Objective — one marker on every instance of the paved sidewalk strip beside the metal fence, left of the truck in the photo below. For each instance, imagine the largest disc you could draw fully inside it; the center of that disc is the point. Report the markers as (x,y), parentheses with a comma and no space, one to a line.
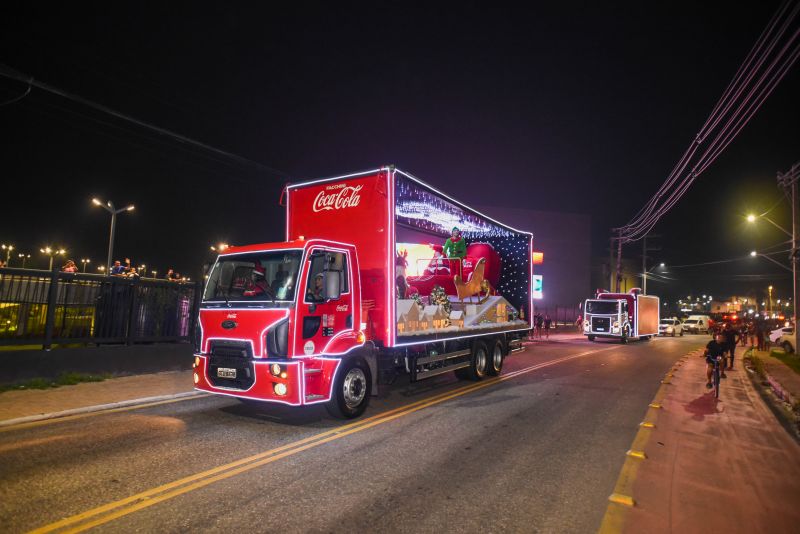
(33,403)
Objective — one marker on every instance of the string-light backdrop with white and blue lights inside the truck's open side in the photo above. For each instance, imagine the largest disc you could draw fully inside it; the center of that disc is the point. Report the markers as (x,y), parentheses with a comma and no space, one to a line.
(421,209)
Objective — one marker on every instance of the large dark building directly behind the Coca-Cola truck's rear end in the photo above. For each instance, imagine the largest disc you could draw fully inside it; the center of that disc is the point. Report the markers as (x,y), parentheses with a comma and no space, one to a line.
(565,240)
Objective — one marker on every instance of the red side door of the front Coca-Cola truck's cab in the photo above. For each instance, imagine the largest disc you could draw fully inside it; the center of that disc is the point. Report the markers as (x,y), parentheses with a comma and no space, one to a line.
(321,318)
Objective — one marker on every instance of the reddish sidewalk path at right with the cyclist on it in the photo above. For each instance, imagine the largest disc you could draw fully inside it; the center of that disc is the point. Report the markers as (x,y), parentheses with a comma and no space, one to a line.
(712,465)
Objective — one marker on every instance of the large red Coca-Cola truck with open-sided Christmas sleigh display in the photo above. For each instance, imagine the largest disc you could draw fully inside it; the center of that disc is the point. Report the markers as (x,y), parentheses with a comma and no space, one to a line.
(359,293)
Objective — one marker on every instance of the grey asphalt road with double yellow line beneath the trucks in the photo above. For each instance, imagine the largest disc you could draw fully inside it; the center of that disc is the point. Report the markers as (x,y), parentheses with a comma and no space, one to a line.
(537,451)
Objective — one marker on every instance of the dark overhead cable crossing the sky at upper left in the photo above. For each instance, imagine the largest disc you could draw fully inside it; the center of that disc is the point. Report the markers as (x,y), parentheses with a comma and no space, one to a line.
(13,74)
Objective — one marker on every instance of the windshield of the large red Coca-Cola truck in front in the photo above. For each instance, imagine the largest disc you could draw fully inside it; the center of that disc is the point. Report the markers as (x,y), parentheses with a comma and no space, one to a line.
(256,276)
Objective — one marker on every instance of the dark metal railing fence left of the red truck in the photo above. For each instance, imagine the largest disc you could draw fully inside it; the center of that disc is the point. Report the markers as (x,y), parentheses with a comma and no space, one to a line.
(44,308)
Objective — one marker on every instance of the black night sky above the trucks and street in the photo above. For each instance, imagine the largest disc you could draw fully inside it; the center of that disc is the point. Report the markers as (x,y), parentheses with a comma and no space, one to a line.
(577,109)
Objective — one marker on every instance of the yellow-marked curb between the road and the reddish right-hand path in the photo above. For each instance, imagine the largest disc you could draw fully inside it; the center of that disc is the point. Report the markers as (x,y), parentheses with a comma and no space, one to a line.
(622,498)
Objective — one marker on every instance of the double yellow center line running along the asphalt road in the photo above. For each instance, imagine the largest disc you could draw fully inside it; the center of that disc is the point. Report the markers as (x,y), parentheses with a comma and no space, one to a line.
(161,493)
